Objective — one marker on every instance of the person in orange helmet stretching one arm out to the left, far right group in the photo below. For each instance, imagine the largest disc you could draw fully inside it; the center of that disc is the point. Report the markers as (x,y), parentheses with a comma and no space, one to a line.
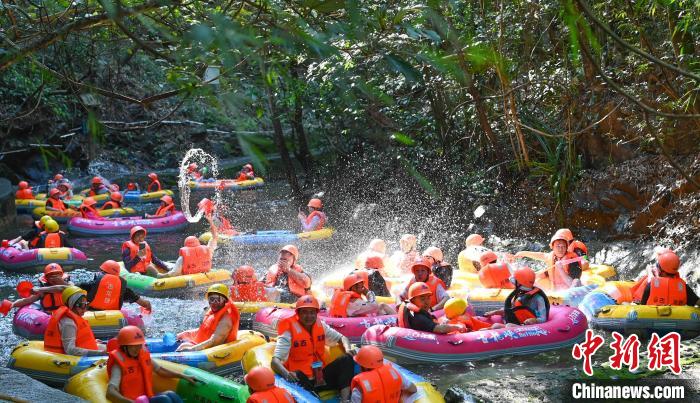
(564,268)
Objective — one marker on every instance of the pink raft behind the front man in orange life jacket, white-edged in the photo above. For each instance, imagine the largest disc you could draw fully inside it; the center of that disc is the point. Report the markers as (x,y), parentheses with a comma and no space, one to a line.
(266,321)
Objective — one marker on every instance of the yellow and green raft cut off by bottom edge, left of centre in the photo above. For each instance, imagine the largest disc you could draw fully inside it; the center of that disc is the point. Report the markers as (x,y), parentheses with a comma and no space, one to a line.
(91,385)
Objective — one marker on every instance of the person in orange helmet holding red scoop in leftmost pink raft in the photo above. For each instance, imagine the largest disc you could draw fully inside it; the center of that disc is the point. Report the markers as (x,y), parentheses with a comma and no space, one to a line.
(49,290)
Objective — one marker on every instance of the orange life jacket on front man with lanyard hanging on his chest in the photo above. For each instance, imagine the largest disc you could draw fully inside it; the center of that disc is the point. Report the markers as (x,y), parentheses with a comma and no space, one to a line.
(306,348)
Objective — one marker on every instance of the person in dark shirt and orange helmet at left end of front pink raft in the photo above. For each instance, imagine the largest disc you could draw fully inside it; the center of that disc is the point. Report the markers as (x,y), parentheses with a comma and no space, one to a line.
(415,312)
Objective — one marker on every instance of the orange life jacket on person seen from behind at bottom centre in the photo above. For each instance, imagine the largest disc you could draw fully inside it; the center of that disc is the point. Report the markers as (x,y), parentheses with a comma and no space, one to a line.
(380,385)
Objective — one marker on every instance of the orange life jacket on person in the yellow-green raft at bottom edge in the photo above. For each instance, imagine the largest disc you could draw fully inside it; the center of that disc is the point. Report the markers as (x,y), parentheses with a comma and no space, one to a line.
(137,373)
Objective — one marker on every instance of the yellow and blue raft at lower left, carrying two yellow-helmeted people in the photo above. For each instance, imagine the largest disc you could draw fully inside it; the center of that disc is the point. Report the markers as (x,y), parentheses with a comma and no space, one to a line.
(55,369)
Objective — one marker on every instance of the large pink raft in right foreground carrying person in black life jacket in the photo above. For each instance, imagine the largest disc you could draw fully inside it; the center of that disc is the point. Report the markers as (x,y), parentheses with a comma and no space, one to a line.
(566,326)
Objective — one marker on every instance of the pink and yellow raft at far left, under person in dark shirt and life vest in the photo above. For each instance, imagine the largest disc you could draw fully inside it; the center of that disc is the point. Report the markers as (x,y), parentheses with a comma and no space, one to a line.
(30,322)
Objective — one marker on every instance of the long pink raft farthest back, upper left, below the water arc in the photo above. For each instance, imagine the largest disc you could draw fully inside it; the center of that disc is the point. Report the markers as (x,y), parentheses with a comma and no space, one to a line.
(87,227)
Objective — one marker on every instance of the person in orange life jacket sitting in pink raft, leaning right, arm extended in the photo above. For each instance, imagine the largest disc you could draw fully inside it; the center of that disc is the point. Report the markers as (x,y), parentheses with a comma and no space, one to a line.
(356,300)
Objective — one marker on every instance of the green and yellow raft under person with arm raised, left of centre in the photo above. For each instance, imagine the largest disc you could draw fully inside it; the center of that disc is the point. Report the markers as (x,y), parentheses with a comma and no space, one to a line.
(173,286)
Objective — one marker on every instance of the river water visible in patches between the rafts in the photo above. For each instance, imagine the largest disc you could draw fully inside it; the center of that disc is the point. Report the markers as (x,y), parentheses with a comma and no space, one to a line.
(268,208)
